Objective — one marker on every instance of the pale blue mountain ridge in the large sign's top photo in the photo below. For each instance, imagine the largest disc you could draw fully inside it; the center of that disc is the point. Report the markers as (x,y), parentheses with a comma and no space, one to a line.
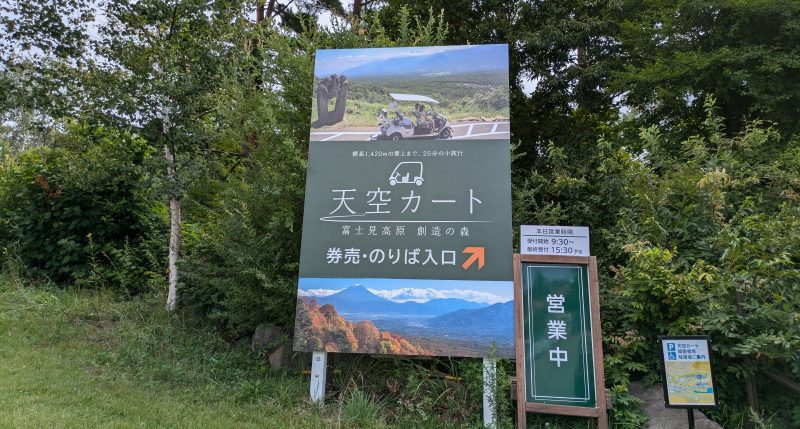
(492,58)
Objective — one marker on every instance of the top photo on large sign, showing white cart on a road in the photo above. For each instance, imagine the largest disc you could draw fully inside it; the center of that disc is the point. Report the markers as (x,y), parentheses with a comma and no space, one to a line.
(438,92)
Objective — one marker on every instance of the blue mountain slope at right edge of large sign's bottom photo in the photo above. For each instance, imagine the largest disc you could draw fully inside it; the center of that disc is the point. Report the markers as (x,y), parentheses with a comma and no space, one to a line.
(497,319)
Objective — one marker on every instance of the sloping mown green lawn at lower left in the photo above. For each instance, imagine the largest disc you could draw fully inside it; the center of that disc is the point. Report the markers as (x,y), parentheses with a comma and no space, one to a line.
(78,359)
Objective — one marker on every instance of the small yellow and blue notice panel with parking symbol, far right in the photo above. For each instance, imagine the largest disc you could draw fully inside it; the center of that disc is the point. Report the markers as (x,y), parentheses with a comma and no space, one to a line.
(686,370)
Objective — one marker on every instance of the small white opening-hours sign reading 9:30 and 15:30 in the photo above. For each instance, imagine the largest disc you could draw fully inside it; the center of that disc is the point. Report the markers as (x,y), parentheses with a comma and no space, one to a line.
(554,240)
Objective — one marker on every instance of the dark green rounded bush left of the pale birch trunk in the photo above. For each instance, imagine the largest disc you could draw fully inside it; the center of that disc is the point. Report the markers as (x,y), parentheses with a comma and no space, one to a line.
(78,212)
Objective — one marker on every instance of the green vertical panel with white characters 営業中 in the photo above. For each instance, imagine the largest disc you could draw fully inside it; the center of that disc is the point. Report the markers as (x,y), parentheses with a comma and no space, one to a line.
(557,329)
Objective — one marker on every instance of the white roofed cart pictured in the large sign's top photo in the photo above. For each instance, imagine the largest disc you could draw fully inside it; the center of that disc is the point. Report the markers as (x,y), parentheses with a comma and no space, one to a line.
(429,123)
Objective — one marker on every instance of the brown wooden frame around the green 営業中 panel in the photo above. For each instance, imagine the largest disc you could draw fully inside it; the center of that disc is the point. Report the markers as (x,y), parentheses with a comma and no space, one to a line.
(523,406)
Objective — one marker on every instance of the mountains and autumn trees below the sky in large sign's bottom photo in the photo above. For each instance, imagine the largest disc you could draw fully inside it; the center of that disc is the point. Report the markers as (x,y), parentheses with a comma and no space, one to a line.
(439,326)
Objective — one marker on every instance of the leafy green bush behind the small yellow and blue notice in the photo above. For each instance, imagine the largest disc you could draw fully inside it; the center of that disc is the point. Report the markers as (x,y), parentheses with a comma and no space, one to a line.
(711,239)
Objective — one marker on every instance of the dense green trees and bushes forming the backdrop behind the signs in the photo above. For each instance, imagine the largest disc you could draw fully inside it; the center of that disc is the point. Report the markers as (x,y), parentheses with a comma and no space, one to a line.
(668,128)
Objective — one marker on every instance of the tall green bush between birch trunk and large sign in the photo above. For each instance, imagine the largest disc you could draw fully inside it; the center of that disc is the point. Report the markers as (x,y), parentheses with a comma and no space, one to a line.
(240,266)
